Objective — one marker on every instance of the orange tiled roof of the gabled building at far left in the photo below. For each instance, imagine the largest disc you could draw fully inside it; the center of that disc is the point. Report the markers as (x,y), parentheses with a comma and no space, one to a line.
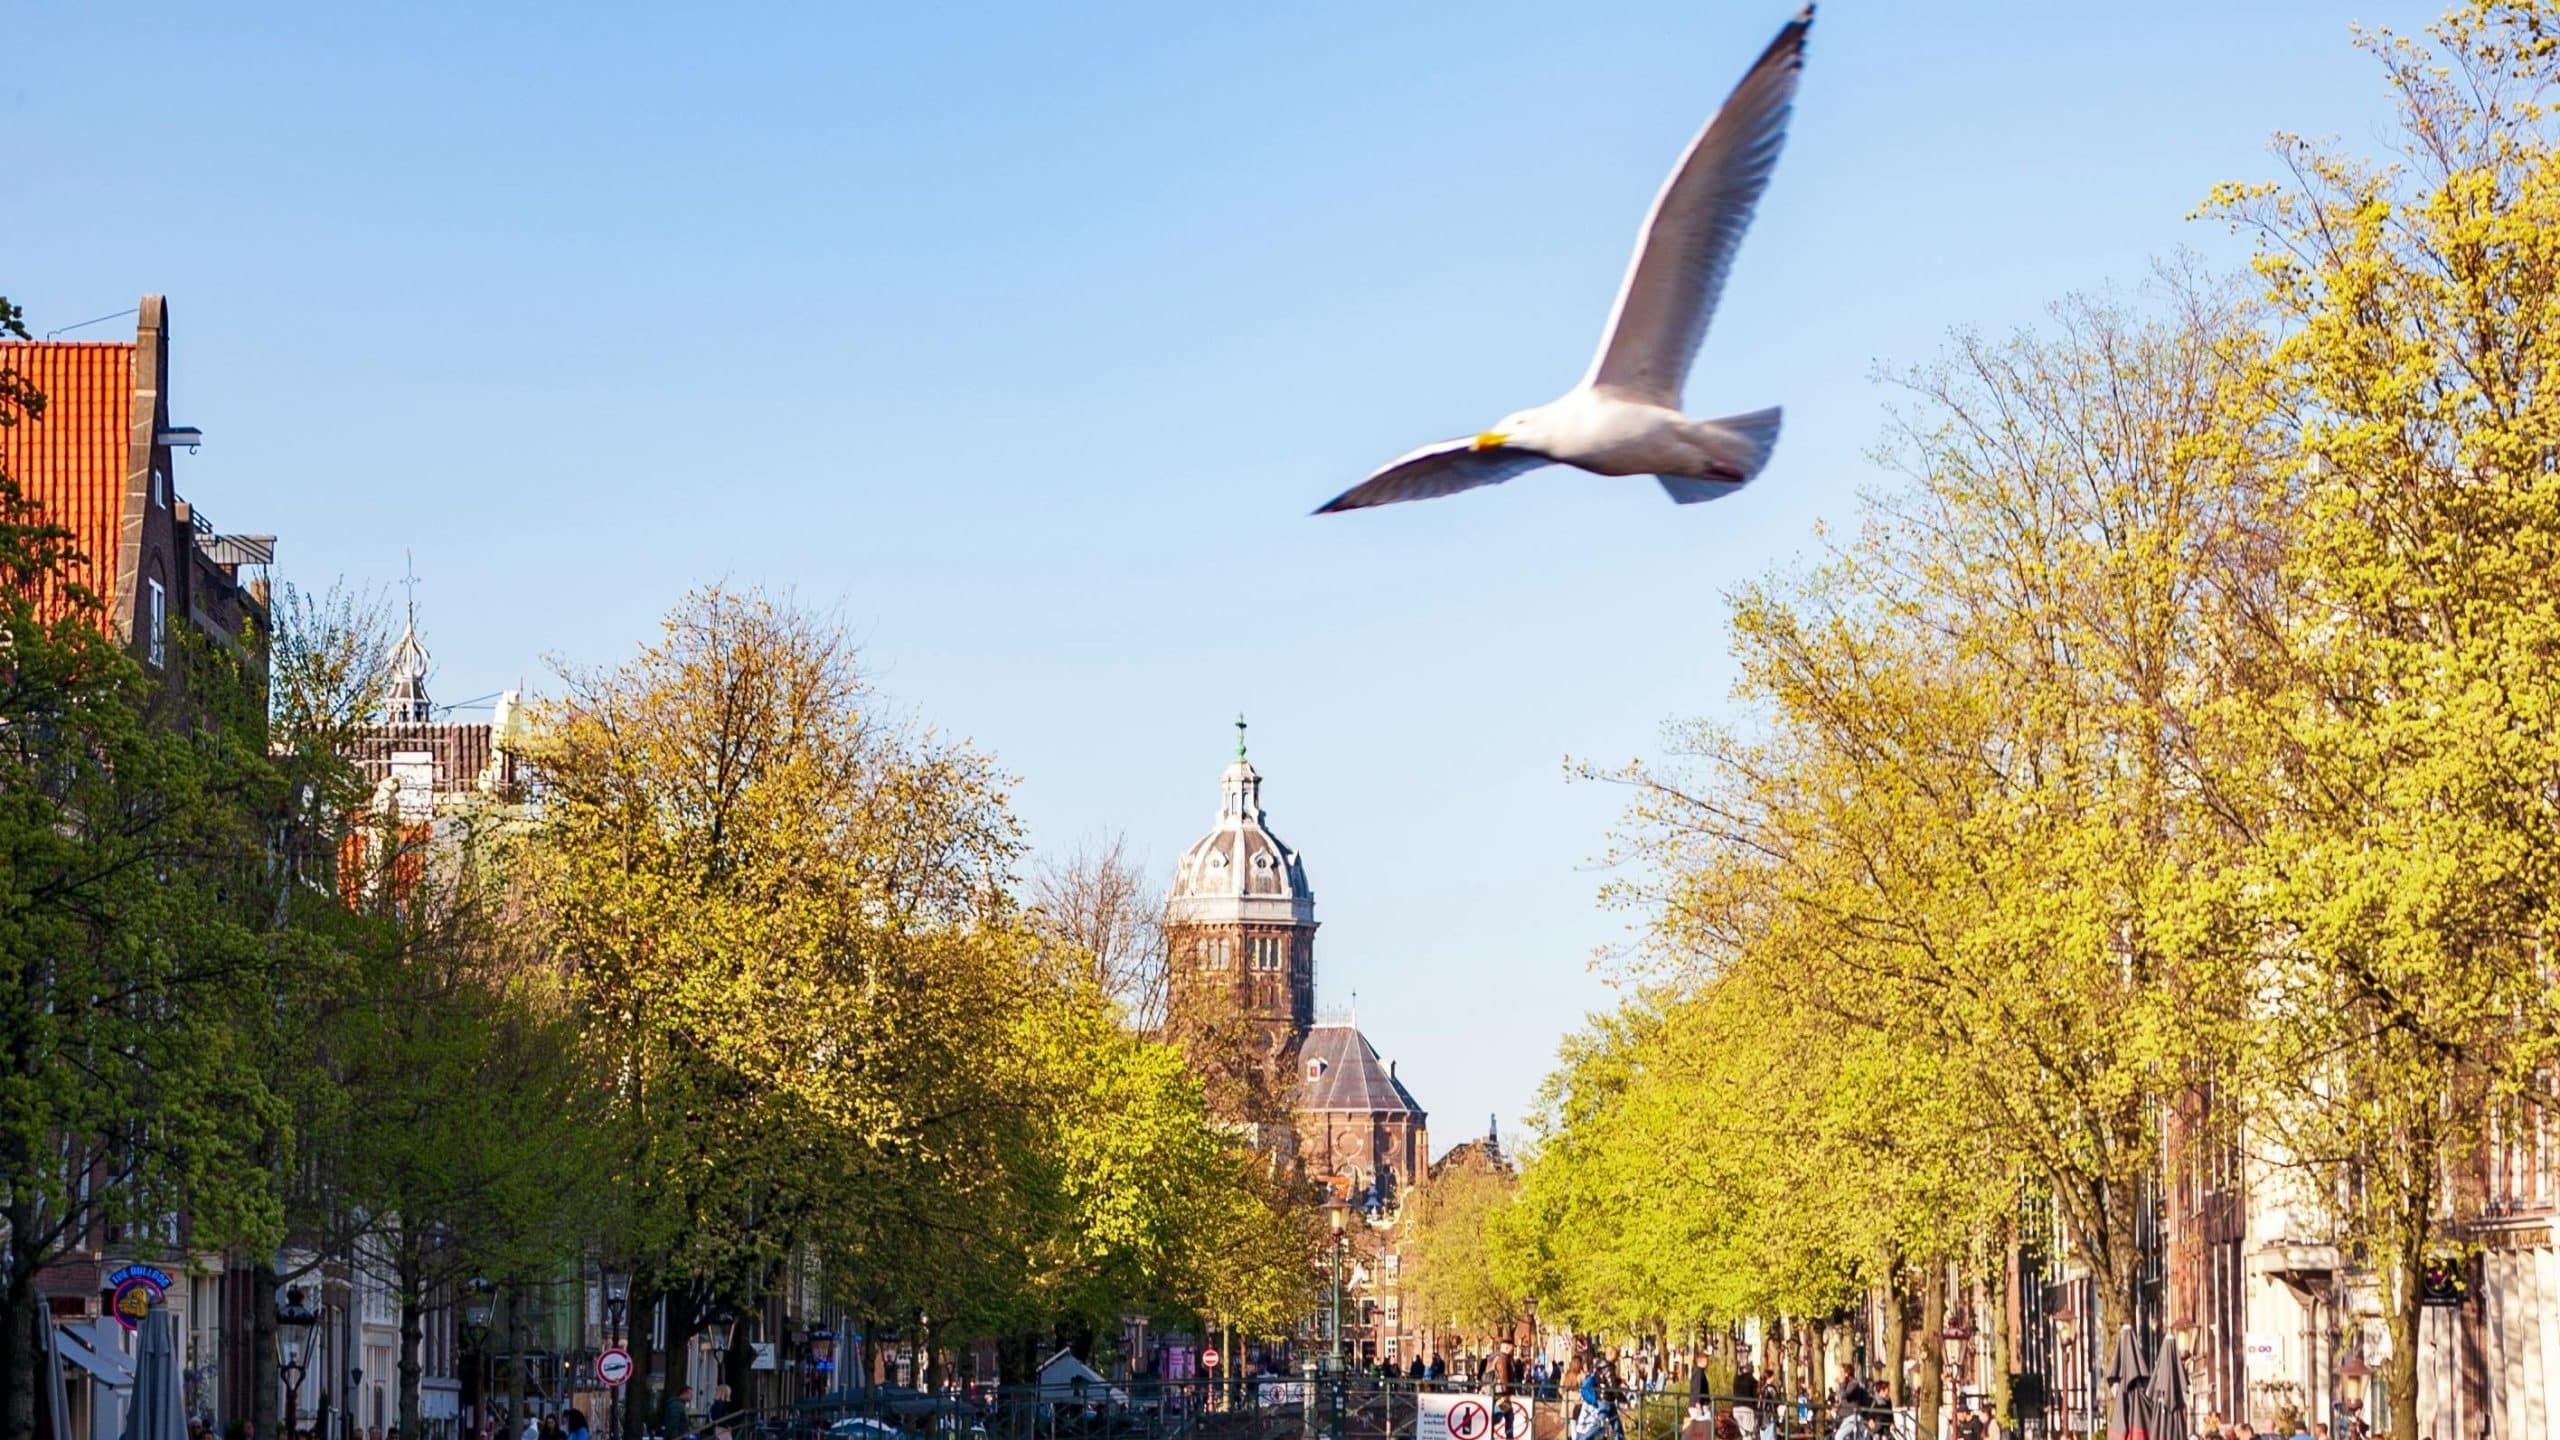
(78,455)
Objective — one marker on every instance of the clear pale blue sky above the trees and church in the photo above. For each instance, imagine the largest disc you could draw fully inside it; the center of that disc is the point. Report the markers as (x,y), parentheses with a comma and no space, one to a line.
(1025,340)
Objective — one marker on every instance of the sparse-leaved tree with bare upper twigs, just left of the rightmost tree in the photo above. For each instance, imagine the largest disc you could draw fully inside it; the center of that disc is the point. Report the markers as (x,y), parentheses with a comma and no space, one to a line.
(1967,829)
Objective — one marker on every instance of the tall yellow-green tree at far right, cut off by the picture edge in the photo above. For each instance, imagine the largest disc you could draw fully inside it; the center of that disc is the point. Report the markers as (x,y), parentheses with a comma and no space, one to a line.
(2408,860)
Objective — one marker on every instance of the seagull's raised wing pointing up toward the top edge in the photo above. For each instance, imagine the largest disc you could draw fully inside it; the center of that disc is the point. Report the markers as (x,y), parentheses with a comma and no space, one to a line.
(1696,227)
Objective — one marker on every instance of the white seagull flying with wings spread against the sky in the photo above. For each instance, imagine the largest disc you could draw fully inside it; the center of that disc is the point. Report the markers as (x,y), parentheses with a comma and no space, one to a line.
(1624,419)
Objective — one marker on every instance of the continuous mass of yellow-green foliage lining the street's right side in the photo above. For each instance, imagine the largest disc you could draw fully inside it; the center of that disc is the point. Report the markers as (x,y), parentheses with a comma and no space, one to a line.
(2185,721)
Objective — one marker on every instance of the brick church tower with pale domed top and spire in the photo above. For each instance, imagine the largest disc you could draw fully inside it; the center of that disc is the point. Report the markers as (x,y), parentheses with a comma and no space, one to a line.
(1240,921)
